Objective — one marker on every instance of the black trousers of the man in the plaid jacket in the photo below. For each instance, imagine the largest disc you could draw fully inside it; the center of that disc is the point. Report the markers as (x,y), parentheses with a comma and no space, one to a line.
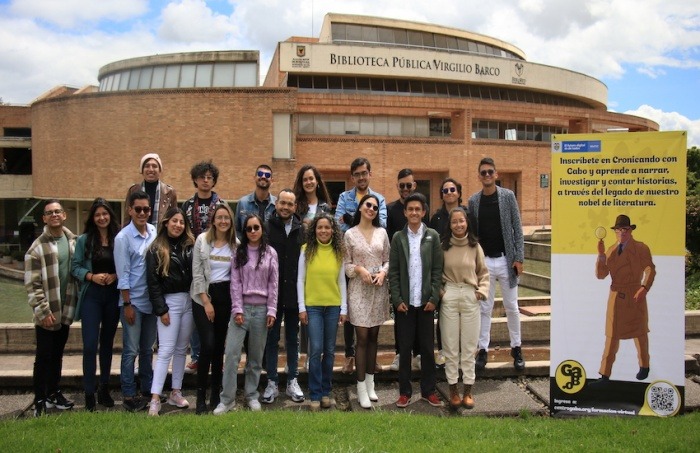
(48,361)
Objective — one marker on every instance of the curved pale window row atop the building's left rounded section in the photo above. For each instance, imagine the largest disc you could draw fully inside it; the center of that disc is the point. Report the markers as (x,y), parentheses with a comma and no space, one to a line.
(189,75)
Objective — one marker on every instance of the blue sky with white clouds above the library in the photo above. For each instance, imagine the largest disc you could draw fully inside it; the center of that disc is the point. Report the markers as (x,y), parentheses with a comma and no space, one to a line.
(647,52)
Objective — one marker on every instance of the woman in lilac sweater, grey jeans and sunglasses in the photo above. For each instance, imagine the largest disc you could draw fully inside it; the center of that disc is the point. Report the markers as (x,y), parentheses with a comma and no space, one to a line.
(254,280)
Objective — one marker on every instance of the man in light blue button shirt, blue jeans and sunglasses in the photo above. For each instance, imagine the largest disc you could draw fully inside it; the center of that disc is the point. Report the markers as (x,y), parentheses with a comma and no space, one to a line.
(138,320)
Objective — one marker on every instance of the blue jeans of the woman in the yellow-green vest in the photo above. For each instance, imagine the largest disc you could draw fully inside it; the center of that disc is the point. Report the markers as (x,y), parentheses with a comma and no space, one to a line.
(323,327)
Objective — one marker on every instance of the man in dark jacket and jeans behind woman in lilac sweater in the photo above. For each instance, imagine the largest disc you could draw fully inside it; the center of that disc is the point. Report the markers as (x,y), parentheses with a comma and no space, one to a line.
(286,235)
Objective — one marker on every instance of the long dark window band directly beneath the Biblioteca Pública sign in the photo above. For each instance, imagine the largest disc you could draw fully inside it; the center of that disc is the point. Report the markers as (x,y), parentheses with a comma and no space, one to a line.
(404,87)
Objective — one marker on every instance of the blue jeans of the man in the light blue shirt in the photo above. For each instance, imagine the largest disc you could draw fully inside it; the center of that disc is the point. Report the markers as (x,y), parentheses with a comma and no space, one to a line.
(138,341)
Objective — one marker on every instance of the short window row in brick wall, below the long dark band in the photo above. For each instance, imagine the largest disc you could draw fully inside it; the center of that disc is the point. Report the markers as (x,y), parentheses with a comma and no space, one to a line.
(393,126)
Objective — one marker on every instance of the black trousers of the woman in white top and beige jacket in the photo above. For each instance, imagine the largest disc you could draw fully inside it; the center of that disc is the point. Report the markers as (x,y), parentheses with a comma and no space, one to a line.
(212,335)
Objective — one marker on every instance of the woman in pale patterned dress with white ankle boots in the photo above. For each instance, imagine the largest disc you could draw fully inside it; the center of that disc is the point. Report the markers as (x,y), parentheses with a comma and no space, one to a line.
(366,265)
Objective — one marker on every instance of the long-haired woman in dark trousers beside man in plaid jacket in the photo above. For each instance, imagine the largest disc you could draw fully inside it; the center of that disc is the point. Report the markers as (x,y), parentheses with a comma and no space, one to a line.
(98,302)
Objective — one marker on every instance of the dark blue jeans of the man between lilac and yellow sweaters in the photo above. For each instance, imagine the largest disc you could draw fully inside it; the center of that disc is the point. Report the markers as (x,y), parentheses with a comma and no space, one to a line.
(291,344)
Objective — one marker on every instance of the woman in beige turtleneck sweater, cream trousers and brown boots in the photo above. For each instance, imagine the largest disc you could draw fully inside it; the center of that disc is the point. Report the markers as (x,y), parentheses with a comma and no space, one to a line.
(466,281)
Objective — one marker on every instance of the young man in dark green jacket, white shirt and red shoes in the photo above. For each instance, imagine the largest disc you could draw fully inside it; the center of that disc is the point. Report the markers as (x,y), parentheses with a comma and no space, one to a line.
(415,278)
